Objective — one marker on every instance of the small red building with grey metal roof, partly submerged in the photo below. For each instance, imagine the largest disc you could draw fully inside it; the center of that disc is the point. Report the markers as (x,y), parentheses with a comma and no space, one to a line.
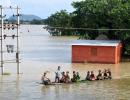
(96,51)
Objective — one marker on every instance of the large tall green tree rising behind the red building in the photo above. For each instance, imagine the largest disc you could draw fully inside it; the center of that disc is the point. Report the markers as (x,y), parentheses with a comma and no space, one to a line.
(110,14)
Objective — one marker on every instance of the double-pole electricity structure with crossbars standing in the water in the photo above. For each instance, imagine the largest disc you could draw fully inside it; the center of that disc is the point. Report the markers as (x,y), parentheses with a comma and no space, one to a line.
(4,35)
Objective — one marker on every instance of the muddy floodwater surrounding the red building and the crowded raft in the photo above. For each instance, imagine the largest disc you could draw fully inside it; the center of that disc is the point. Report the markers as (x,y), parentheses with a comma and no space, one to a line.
(41,52)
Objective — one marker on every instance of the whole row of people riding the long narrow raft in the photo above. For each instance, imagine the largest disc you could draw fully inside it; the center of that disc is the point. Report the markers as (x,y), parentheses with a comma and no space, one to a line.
(65,78)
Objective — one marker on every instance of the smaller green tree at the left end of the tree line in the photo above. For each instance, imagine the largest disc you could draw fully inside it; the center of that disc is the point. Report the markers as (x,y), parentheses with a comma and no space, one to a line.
(59,19)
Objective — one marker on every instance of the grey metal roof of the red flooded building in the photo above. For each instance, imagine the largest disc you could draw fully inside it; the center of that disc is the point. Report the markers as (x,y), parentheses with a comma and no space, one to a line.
(97,42)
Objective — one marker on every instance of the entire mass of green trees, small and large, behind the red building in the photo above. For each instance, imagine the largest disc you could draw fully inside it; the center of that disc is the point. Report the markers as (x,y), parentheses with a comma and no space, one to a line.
(94,14)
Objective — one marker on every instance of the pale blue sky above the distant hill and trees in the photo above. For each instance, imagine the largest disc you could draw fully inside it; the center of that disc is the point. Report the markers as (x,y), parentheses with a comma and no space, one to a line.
(42,8)
